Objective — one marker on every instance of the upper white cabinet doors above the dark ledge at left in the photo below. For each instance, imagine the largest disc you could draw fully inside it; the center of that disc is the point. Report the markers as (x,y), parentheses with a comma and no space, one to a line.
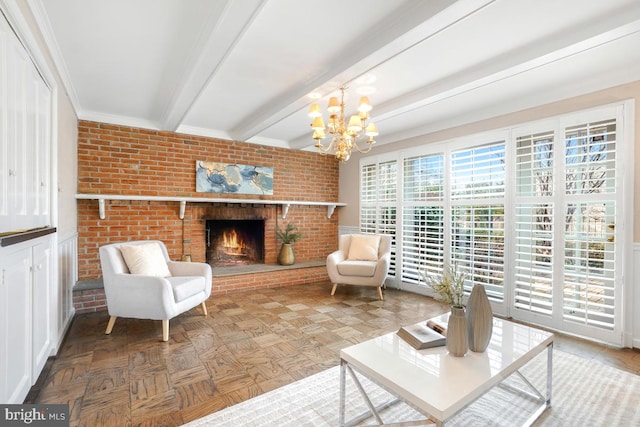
(25,138)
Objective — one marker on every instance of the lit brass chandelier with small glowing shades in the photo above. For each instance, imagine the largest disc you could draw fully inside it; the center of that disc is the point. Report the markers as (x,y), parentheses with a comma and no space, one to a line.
(343,136)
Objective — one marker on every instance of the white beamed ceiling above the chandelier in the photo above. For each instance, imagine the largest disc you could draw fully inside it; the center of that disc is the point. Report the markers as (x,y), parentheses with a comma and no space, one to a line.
(243,69)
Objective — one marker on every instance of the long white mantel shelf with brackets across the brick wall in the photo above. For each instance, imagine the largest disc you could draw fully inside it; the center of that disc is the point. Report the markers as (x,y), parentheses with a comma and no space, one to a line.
(331,206)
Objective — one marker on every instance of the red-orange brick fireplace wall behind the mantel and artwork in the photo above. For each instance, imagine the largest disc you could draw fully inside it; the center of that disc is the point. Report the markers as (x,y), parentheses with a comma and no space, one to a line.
(130,161)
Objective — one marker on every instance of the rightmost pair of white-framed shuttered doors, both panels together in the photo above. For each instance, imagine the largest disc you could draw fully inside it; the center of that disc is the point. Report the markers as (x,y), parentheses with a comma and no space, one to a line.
(567,263)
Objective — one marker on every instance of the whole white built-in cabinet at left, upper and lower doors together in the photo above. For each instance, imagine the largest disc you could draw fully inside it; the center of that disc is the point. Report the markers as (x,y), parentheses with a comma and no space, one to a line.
(28,268)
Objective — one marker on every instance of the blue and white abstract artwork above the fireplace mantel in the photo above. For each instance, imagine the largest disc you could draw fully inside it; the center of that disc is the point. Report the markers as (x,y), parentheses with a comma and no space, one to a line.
(212,177)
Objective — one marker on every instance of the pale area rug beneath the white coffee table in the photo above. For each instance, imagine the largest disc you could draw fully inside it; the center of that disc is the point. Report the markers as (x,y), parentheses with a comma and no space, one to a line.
(585,393)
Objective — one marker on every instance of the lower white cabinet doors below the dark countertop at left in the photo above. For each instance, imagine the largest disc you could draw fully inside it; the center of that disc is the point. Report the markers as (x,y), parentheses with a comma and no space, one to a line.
(25,316)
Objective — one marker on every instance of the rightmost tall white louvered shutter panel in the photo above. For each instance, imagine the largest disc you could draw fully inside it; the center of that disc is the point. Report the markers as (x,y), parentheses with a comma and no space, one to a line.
(589,275)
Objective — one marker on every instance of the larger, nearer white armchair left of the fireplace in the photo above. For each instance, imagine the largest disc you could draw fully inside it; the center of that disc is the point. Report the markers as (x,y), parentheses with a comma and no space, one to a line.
(160,290)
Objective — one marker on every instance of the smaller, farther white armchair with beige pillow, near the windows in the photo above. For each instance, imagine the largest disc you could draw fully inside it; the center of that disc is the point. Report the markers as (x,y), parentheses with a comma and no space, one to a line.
(361,259)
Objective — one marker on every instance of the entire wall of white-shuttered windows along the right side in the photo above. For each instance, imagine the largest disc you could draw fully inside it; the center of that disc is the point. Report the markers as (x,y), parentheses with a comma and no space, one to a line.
(531,215)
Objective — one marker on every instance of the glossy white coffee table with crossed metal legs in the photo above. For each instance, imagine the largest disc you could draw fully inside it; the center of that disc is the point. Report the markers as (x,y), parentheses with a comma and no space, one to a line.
(439,385)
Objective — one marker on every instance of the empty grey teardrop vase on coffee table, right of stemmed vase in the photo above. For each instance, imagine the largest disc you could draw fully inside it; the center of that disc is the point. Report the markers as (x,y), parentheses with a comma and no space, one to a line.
(479,319)
